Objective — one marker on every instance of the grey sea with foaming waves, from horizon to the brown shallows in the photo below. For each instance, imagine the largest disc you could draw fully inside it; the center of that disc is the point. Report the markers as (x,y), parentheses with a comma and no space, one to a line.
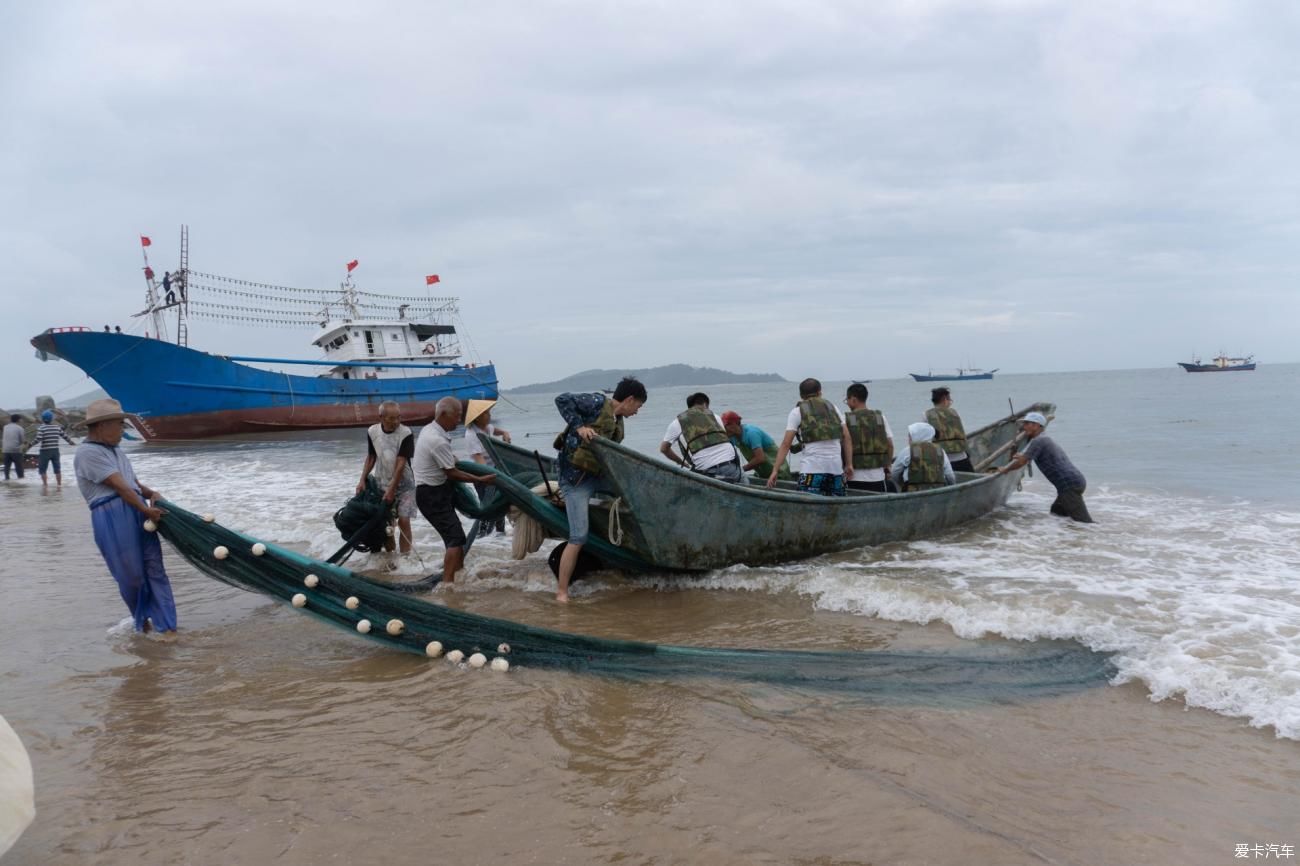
(1190,575)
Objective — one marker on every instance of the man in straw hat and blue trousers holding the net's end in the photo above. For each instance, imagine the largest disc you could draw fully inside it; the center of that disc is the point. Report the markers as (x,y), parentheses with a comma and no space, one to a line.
(119,506)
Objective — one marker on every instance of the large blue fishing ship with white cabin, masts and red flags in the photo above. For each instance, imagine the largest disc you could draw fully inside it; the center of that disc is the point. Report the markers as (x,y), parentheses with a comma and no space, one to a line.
(374,348)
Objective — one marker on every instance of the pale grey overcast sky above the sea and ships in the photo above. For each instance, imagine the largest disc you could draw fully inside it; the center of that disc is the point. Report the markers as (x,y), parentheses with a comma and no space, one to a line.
(838,190)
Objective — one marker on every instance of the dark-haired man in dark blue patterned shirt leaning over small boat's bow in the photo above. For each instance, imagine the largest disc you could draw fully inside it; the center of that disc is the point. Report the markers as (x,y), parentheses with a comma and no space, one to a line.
(588,417)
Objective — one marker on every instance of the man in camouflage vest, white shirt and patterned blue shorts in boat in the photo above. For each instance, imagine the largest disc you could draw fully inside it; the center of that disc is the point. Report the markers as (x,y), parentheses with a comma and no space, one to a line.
(827,457)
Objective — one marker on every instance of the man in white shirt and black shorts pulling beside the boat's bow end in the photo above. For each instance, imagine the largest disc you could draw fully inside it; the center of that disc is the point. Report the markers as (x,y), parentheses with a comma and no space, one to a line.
(435,474)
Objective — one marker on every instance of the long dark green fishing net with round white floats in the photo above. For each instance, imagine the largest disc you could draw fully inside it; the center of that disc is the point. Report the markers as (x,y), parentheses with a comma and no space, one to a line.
(408,623)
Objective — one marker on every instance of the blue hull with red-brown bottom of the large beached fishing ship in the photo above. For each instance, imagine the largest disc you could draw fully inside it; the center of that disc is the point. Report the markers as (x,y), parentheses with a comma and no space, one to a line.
(176,393)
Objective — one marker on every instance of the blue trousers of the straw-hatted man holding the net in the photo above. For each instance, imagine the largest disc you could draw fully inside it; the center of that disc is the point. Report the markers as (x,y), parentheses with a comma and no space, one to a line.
(135,558)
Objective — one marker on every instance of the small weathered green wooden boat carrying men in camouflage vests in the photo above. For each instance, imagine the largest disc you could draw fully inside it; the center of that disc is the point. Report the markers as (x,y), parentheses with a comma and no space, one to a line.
(674,519)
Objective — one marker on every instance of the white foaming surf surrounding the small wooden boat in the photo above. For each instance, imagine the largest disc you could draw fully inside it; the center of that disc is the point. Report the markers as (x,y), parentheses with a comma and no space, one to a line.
(1197,599)
